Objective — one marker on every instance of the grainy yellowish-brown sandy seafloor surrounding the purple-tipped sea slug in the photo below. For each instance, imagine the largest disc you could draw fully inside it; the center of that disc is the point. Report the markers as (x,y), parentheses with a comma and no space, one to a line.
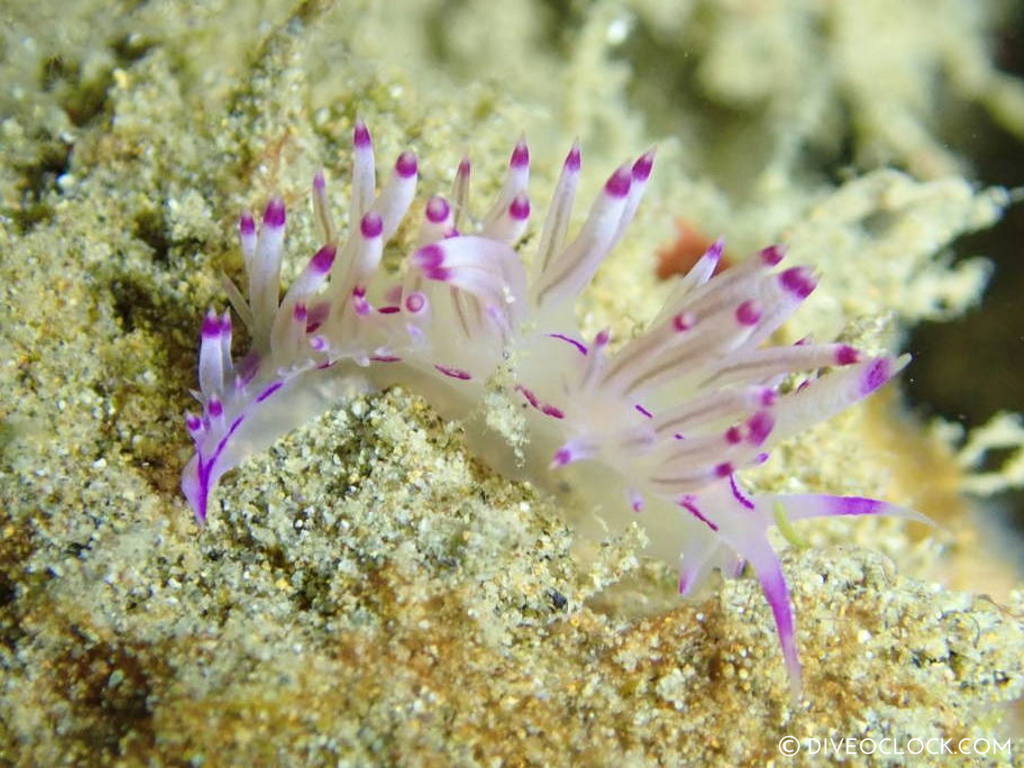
(368,593)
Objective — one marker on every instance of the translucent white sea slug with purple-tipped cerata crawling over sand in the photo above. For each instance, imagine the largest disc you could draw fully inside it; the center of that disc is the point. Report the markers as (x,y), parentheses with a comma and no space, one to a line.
(657,431)
